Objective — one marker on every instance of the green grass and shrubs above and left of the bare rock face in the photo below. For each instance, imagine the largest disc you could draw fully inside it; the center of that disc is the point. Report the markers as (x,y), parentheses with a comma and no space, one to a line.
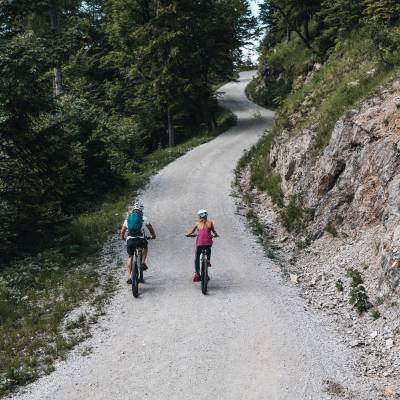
(353,71)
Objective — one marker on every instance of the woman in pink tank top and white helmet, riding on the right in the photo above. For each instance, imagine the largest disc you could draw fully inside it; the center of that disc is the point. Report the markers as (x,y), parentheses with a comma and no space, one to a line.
(205,231)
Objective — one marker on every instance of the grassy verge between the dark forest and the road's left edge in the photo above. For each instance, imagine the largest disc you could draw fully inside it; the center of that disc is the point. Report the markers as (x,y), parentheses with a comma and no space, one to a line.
(37,293)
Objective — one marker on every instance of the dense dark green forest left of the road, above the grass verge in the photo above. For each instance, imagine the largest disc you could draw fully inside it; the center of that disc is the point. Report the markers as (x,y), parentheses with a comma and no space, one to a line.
(88,88)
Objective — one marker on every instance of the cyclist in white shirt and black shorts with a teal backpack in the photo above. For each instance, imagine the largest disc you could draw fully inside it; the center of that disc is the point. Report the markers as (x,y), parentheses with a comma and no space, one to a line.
(136,239)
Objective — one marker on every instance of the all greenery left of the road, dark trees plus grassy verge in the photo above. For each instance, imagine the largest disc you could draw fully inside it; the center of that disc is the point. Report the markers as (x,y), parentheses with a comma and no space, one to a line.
(95,97)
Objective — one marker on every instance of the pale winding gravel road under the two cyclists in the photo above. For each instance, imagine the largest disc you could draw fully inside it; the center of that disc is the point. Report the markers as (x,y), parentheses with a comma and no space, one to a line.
(251,337)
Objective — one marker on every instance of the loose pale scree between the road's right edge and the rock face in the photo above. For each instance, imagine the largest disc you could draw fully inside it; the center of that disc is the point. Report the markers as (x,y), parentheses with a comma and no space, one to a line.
(374,343)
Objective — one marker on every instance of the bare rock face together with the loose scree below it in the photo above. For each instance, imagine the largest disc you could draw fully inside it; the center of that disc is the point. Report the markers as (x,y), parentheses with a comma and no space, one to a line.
(345,256)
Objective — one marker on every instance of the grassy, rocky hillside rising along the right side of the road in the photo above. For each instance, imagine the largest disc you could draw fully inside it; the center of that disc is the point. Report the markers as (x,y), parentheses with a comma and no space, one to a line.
(322,187)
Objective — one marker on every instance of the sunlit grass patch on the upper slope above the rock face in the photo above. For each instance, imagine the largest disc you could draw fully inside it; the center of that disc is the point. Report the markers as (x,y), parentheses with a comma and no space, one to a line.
(351,73)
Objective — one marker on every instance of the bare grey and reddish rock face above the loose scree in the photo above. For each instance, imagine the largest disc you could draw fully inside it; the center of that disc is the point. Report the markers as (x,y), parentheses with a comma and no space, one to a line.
(355,183)
